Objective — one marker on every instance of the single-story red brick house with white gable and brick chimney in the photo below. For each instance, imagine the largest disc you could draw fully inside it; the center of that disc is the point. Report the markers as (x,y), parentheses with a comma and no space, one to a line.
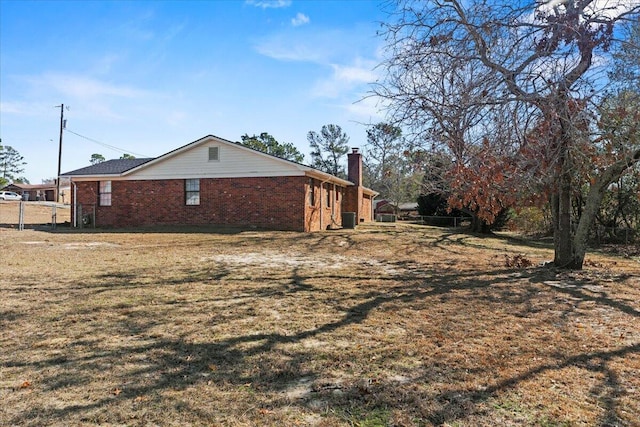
(213,181)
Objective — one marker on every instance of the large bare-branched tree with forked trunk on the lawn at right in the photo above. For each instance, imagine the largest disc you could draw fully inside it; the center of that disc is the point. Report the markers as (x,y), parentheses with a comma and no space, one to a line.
(540,55)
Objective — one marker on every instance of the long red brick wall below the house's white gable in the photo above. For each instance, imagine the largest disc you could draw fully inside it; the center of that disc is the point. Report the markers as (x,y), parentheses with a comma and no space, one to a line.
(273,202)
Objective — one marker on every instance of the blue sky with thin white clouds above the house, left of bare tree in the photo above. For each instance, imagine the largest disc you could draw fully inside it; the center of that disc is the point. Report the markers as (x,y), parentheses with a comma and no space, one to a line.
(150,76)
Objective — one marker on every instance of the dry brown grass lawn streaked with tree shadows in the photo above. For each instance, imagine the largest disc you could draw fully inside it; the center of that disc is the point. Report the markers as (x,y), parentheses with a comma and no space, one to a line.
(378,326)
